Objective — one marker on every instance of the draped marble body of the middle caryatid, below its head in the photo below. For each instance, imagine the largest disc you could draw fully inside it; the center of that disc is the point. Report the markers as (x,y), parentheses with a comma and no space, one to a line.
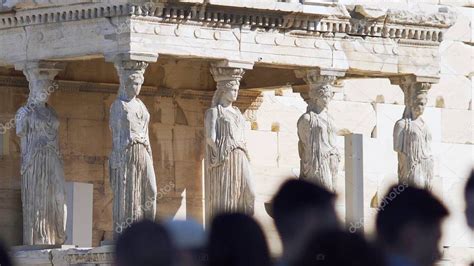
(229,187)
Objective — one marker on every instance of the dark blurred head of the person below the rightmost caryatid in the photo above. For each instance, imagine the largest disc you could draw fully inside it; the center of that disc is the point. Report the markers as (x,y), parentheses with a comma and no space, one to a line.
(409,227)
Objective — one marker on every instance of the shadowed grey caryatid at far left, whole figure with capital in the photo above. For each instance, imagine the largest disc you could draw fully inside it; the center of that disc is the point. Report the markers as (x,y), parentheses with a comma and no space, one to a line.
(42,172)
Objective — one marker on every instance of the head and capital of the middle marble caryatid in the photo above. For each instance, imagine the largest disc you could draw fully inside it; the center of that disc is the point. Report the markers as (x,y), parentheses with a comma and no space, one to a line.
(228,84)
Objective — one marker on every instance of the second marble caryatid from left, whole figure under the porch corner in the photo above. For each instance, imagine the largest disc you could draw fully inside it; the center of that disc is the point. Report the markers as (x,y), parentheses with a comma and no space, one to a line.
(132,175)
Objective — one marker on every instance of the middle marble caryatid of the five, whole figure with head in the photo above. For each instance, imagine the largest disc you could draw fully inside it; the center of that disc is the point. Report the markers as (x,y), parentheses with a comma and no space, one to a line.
(228,176)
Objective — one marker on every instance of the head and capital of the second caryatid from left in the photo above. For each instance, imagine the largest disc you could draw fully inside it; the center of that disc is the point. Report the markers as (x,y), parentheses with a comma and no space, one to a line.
(131,75)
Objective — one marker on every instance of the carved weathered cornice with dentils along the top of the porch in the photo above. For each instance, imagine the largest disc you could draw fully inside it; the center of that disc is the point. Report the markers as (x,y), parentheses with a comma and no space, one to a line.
(395,24)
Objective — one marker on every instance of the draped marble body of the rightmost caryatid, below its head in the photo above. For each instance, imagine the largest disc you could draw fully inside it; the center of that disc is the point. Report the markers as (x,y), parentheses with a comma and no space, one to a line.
(412,141)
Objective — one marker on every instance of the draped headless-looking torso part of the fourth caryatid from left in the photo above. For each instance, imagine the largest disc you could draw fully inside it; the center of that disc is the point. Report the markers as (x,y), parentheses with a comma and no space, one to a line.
(319,157)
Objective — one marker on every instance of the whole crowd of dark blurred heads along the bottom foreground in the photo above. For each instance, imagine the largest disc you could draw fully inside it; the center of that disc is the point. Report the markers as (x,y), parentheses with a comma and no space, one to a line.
(408,233)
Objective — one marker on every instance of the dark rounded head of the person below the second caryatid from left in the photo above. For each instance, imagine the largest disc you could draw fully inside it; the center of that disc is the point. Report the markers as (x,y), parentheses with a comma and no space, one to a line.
(144,243)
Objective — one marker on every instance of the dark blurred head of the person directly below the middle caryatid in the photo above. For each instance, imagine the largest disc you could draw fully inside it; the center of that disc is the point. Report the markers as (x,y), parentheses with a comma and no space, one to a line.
(237,240)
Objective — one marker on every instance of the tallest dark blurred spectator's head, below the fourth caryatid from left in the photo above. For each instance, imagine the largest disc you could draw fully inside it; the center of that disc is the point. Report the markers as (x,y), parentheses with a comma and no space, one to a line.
(299,209)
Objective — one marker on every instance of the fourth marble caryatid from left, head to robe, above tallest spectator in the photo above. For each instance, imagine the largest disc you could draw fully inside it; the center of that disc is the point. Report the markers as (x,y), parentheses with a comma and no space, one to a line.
(319,157)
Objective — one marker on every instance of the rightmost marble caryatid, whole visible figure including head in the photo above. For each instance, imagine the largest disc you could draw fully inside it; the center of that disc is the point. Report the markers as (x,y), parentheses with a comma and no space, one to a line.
(412,137)
